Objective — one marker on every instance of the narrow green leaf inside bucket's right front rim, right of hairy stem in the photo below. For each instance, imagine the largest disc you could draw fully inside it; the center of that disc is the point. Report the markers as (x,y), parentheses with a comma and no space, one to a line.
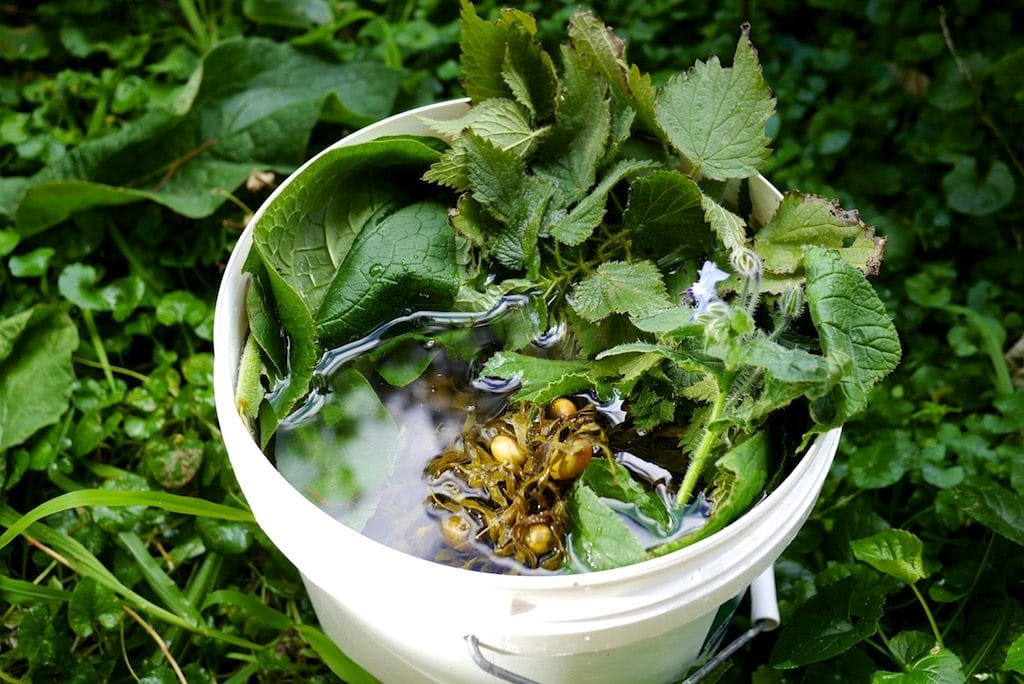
(741,480)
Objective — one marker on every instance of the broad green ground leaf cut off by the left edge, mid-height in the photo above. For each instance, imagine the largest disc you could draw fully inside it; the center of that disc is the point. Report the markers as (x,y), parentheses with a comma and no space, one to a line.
(36,373)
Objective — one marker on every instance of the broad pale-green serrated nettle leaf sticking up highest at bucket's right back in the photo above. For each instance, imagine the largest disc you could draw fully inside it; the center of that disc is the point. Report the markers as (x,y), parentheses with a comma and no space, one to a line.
(716,116)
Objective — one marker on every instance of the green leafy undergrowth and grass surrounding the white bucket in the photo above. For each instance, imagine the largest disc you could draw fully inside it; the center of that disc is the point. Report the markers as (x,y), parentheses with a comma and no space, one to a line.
(135,139)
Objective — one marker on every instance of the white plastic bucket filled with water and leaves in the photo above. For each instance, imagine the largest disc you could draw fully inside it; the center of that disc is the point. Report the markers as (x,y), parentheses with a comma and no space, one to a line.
(406,620)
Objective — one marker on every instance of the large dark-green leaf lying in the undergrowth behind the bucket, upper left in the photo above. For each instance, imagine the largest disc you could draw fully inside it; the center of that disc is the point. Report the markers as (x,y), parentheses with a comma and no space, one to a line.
(255,107)
